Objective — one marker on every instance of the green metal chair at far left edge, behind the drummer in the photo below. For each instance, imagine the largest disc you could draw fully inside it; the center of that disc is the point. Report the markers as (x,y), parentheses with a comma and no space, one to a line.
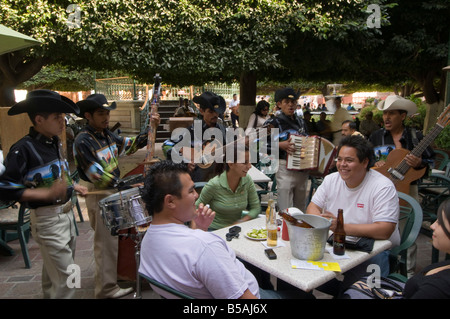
(17,220)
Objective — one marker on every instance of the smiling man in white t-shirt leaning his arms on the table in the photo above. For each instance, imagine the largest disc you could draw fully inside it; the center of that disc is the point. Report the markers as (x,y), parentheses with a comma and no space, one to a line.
(368,198)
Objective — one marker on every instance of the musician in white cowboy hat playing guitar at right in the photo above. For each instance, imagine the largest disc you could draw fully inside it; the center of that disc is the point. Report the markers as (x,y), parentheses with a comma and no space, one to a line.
(395,135)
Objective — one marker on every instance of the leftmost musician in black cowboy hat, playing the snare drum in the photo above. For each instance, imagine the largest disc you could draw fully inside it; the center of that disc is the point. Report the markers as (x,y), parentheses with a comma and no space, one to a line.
(37,175)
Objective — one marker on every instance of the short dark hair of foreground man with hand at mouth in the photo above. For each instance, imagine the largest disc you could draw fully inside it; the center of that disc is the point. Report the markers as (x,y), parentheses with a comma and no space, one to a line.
(163,178)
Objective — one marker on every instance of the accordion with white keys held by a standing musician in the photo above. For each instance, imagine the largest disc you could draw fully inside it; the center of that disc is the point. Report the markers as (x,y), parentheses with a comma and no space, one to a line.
(312,153)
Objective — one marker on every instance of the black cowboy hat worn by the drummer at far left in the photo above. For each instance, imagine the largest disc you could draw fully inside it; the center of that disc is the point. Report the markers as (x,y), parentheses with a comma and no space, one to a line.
(45,101)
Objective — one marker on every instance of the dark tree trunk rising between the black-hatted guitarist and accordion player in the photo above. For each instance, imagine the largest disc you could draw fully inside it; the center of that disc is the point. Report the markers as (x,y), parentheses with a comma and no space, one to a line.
(247,97)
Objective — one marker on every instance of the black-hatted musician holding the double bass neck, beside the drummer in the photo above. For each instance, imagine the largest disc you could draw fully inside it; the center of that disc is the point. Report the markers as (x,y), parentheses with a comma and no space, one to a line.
(96,152)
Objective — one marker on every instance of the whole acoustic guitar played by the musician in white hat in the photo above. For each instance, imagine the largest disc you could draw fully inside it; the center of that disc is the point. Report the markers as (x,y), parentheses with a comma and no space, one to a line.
(396,168)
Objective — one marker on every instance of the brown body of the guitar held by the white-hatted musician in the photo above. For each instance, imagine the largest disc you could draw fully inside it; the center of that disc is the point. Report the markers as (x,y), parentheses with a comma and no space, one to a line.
(393,160)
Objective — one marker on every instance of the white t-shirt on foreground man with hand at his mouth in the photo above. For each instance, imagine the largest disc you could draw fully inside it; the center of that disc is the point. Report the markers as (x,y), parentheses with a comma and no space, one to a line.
(195,262)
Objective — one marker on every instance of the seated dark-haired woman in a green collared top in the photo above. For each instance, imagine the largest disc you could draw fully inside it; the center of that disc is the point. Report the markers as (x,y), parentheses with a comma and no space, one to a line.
(231,192)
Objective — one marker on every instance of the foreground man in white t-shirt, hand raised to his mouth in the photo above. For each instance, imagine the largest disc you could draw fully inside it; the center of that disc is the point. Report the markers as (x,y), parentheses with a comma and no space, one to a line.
(190,260)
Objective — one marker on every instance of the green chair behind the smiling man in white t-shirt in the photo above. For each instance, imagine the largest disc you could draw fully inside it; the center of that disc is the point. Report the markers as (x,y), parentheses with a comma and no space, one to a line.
(411,219)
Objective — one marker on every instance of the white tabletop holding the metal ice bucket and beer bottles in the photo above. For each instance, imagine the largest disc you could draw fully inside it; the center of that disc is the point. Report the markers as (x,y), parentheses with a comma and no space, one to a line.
(305,279)
